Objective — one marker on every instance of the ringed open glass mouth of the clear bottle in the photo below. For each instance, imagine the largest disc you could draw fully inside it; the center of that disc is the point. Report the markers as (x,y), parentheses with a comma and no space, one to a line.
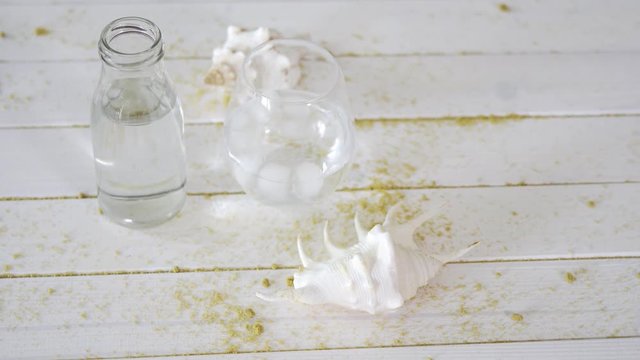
(130,42)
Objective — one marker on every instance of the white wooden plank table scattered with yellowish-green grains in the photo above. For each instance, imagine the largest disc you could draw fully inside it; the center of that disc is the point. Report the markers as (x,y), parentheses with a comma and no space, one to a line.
(552,193)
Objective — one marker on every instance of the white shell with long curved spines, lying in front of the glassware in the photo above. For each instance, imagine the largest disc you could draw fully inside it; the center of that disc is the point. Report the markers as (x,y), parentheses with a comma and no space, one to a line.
(383,270)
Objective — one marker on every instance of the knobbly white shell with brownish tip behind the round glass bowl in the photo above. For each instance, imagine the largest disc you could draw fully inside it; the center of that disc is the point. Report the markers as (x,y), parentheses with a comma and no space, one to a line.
(227,60)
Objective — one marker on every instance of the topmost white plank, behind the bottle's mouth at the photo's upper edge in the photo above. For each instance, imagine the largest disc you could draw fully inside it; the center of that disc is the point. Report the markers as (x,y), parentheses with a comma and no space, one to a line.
(399,28)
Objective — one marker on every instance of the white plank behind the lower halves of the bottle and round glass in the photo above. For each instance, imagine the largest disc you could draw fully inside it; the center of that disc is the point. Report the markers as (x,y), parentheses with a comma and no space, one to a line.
(467,152)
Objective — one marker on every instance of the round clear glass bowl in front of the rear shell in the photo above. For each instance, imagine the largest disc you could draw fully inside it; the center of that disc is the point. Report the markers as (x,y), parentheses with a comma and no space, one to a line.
(289,130)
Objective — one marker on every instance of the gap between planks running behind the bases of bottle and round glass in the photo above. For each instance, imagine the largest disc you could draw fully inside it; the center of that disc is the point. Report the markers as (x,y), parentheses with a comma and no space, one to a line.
(81,195)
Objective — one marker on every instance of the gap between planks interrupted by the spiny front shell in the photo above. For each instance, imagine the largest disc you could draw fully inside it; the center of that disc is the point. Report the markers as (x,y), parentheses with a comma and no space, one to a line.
(178,270)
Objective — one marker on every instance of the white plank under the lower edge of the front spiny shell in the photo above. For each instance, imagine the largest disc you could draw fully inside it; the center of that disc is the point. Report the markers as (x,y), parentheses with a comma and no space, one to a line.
(165,314)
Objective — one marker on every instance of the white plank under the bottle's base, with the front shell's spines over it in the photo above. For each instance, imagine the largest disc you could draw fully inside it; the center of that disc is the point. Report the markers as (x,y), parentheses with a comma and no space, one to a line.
(513,223)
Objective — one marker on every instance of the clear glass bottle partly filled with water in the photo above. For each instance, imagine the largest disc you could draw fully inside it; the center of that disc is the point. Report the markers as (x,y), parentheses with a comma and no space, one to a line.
(137,128)
